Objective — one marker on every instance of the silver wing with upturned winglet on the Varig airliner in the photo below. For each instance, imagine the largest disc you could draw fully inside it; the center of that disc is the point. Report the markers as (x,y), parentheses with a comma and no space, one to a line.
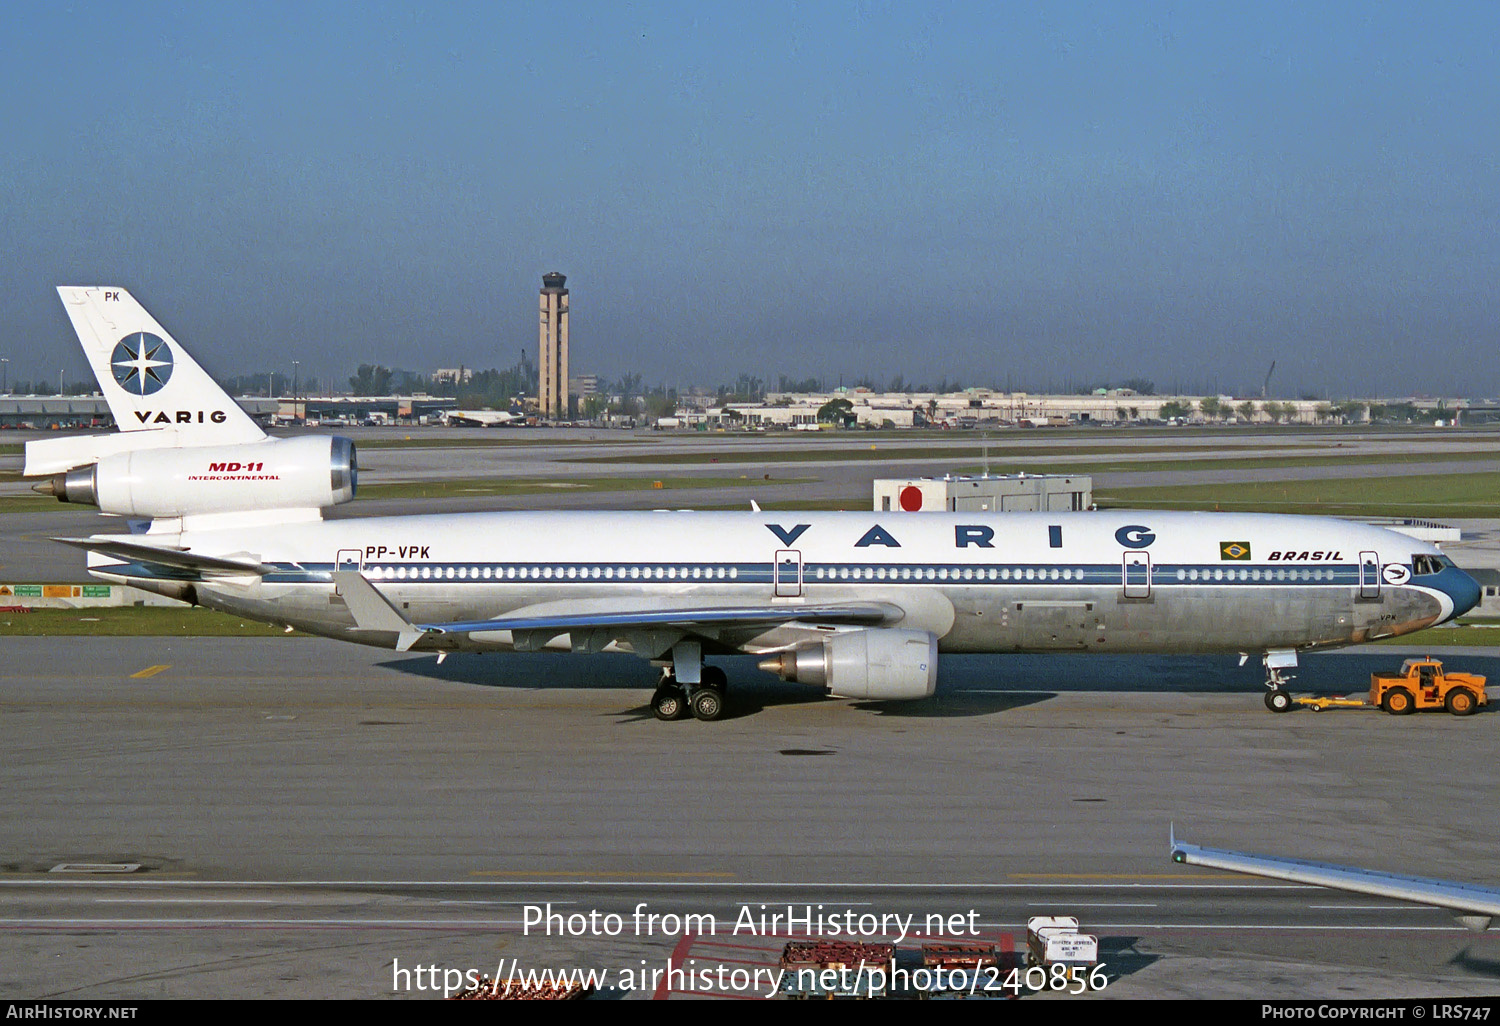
(373,611)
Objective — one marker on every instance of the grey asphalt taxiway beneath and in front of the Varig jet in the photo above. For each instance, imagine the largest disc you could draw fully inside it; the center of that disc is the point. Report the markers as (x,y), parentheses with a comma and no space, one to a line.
(305,814)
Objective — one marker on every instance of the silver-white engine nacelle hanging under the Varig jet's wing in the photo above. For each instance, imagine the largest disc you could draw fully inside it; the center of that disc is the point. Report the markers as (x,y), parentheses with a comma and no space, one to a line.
(878,664)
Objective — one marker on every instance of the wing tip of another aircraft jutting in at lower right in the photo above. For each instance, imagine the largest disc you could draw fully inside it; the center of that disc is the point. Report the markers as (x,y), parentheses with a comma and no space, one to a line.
(1472,905)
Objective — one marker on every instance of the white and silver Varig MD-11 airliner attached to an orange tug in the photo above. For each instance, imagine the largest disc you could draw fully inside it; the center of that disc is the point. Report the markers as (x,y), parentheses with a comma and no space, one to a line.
(860,604)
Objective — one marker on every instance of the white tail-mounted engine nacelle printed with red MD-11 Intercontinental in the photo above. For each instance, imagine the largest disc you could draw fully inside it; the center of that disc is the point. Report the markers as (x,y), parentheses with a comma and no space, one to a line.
(275,475)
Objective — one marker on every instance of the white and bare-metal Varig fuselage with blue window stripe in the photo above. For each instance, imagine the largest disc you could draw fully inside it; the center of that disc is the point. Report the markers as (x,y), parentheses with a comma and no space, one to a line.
(1105,581)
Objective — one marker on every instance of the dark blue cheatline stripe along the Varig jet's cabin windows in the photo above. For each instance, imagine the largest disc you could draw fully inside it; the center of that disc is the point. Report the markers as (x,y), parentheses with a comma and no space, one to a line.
(829,574)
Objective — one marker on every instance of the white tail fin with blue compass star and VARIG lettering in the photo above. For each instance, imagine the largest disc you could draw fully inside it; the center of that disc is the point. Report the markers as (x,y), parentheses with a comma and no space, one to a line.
(146,376)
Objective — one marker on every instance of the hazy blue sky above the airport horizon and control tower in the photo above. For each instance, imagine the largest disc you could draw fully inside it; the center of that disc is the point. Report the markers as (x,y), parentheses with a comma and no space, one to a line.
(1039,194)
